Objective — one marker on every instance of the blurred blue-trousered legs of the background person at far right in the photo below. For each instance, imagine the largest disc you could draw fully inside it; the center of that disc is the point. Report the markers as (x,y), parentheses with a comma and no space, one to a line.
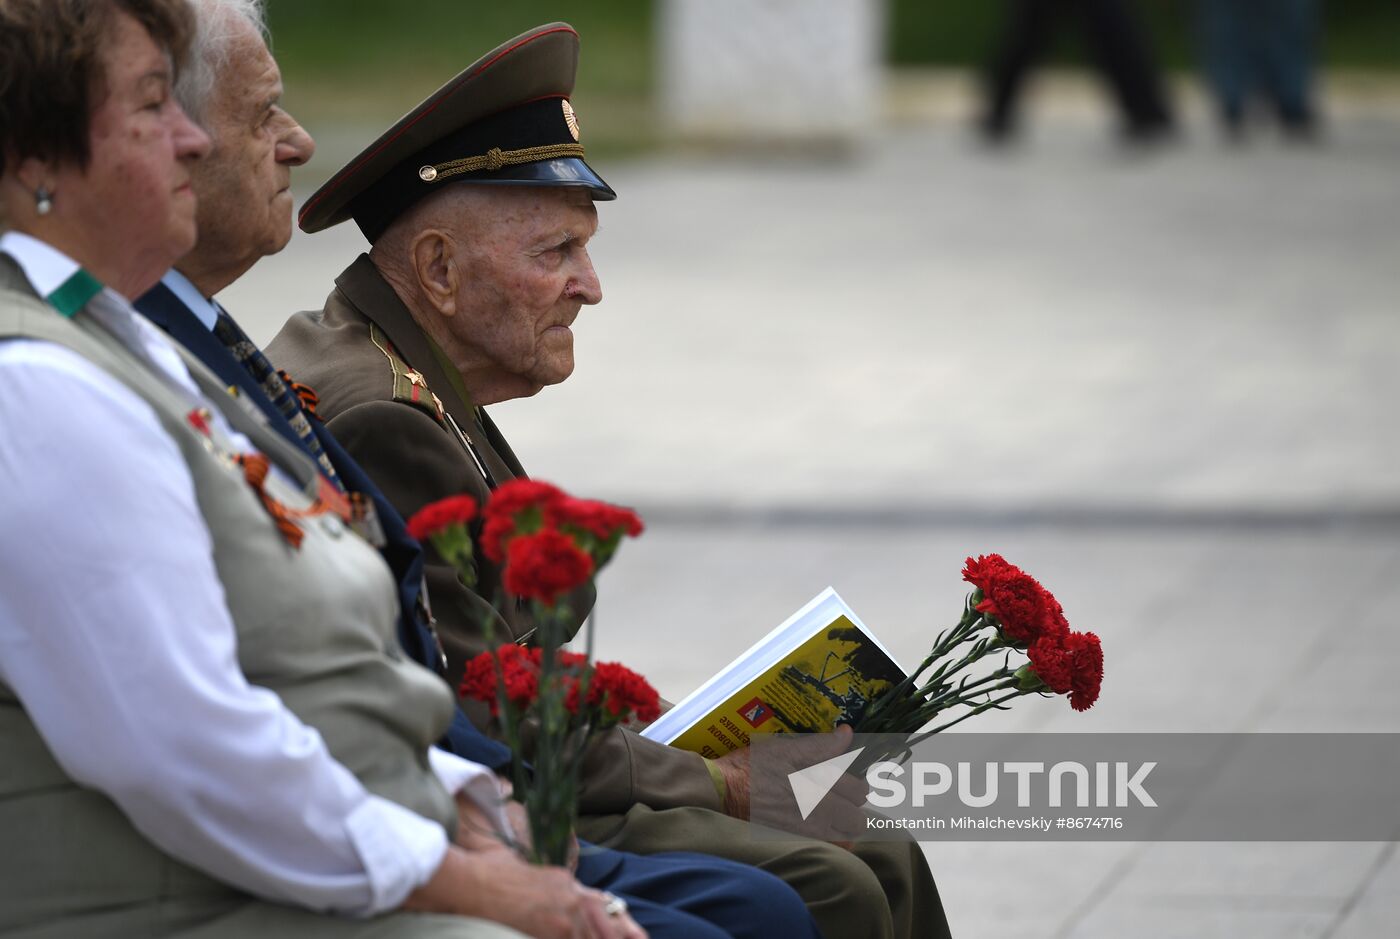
(1262,48)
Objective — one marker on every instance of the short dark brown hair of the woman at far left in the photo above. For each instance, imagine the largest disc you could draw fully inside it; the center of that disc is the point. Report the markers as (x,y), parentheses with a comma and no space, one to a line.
(52,75)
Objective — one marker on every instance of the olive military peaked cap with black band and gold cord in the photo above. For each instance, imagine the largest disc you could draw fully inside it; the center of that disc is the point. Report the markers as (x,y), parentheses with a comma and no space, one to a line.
(505,121)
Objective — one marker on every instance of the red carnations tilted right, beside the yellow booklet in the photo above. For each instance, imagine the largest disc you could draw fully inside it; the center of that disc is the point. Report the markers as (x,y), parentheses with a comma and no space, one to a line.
(1009,614)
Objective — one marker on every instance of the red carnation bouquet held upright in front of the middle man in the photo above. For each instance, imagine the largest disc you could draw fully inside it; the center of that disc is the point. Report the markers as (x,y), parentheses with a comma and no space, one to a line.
(549,545)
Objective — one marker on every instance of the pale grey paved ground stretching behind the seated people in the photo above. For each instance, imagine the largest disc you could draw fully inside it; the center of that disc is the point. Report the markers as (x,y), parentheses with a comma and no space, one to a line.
(1164,383)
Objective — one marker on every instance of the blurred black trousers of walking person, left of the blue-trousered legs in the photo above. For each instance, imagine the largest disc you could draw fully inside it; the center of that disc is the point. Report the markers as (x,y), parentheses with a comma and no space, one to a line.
(1116,43)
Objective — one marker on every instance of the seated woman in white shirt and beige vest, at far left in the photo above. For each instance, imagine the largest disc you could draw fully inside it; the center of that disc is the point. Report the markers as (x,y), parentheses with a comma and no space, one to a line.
(205,727)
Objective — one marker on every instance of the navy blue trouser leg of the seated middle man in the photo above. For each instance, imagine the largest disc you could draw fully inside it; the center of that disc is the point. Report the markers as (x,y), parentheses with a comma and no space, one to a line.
(694,896)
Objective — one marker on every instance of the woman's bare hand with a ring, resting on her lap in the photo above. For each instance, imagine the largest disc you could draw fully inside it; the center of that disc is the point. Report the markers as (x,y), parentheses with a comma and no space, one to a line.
(540,902)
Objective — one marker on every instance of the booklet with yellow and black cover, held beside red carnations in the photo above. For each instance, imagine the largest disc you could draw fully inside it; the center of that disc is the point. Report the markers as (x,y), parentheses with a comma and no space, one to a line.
(818,670)
